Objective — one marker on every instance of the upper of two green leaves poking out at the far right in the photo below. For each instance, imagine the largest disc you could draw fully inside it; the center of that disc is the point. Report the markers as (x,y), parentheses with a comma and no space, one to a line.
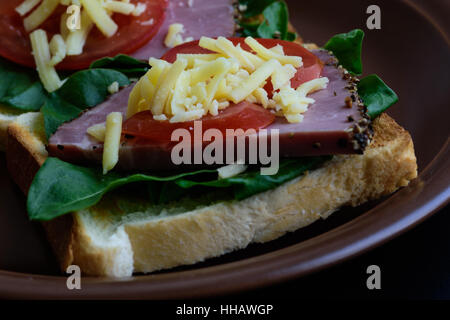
(347,48)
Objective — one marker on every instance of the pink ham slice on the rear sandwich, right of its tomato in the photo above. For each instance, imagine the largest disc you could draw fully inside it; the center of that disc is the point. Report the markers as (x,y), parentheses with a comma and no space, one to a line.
(211,18)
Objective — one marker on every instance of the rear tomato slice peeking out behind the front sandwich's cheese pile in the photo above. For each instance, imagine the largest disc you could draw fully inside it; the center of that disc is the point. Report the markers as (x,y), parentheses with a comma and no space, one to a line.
(311,69)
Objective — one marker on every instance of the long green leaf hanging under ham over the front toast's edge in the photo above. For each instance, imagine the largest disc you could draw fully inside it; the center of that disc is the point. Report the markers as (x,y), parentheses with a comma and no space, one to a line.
(59,187)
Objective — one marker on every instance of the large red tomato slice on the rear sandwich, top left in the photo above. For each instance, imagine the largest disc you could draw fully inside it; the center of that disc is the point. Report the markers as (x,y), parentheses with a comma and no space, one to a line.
(132,34)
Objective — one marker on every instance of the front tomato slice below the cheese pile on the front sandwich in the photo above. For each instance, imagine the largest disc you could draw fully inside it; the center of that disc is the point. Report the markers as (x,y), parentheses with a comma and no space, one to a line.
(244,116)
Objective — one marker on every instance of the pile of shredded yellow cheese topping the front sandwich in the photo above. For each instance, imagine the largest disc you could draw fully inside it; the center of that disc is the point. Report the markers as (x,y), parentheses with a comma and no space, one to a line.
(199,84)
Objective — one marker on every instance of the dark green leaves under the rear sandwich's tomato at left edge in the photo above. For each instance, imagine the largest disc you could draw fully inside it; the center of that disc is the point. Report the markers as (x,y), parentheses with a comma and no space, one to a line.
(21,89)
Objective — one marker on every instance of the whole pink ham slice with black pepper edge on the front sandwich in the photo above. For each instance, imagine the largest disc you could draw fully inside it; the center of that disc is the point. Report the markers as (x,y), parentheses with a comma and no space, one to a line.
(335,124)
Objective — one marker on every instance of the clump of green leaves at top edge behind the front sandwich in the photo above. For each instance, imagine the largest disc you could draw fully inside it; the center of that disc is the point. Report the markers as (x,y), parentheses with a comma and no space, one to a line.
(274,23)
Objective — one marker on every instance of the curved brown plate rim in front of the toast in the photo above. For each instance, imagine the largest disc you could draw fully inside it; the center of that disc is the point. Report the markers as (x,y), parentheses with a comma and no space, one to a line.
(259,270)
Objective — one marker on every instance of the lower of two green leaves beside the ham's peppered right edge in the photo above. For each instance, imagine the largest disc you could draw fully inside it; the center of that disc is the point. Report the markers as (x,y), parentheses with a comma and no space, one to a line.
(376,95)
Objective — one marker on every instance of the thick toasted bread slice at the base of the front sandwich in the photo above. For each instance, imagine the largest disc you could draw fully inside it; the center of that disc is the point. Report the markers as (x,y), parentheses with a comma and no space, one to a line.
(123,234)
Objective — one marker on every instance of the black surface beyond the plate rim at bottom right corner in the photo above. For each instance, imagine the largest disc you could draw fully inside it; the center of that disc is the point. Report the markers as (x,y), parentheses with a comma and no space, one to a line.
(415,265)
